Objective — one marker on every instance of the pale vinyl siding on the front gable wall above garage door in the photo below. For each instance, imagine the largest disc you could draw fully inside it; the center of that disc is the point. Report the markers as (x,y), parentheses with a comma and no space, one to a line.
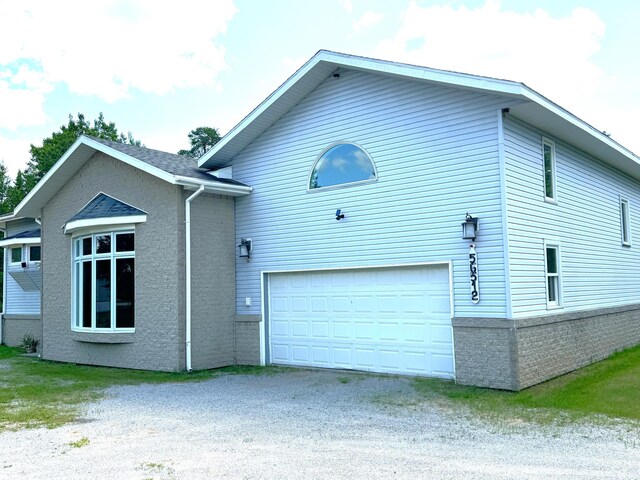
(436,154)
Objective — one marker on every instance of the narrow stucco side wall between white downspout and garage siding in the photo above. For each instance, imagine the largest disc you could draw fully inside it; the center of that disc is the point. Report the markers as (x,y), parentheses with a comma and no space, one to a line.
(213,281)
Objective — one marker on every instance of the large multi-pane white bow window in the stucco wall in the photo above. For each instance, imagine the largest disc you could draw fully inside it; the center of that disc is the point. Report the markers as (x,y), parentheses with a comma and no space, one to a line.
(104,282)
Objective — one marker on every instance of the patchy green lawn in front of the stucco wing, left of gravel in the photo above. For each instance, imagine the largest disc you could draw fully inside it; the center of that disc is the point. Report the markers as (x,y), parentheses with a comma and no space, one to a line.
(35,393)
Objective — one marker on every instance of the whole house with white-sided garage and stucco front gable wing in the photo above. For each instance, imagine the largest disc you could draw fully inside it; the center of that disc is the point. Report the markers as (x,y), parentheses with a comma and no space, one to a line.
(337,242)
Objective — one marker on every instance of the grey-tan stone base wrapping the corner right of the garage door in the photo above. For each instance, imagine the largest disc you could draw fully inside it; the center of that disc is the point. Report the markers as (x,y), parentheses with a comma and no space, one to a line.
(515,354)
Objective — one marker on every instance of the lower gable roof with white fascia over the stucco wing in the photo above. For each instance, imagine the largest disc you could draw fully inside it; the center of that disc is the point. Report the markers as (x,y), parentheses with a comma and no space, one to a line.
(174,169)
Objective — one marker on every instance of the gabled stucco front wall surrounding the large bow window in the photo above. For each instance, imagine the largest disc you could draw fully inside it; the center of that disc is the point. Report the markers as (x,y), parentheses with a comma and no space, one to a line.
(158,341)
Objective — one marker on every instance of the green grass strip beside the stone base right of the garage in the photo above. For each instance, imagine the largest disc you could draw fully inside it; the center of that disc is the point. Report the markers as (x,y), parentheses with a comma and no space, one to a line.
(610,387)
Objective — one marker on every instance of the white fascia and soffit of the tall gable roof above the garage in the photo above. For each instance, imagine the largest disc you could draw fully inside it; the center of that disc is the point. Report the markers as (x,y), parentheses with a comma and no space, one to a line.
(533,109)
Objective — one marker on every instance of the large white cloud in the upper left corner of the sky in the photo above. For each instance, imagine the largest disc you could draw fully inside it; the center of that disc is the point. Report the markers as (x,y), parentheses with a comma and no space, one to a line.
(108,48)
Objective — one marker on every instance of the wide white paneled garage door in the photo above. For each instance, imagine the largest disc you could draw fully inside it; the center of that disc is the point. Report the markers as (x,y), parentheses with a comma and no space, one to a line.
(393,320)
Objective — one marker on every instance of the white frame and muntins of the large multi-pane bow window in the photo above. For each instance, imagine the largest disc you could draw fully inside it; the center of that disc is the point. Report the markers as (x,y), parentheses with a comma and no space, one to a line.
(113,255)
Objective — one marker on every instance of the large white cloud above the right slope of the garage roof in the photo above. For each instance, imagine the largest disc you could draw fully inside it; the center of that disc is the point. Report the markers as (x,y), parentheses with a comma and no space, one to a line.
(551,55)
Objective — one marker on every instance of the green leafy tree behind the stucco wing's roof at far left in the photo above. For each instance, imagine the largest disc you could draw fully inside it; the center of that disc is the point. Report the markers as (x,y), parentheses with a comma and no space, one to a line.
(53,147)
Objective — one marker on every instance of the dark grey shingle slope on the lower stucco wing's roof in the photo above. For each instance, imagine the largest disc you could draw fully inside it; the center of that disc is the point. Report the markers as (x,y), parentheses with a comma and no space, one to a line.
(169,162)
